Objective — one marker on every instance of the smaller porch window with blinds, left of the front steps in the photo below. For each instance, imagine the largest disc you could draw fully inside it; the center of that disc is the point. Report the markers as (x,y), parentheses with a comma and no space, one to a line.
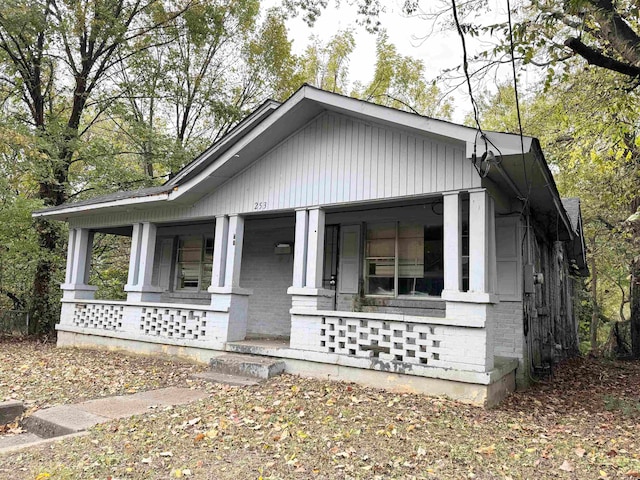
(194,263)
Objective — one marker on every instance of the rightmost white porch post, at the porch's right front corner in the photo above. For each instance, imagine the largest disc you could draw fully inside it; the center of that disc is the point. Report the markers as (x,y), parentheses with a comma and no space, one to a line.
(479,241)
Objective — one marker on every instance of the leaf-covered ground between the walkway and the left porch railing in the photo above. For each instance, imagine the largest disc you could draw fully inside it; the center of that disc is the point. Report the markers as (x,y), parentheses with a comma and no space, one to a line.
(41,375)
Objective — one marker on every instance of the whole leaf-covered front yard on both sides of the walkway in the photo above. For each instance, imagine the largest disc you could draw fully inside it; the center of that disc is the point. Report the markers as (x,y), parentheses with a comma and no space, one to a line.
(584,424)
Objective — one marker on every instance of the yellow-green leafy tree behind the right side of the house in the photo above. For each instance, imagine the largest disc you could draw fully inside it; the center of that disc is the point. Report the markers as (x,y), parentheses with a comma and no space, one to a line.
(593,148)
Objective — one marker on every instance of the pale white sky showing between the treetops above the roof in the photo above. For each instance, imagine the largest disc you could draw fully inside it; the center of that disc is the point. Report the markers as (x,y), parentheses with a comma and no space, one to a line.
(439,48)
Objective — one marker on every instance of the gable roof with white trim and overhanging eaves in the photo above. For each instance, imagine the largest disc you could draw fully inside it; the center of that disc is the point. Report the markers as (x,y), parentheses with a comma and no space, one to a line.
(521,170)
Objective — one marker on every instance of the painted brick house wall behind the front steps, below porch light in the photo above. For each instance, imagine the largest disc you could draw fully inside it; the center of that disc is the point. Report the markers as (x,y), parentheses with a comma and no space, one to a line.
(268,275)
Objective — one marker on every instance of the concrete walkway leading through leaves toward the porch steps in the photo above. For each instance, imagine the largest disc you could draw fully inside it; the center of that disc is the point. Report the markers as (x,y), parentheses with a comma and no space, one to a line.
(55,422)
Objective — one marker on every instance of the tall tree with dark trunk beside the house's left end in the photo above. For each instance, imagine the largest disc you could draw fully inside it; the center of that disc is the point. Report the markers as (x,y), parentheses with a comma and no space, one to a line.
(54,57)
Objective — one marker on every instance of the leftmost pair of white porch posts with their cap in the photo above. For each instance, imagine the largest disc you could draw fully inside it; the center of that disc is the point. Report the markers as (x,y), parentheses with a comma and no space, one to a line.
(75,285)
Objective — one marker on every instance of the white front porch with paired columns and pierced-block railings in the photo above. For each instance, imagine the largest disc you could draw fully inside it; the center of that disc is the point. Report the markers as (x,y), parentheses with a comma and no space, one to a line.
(354,292)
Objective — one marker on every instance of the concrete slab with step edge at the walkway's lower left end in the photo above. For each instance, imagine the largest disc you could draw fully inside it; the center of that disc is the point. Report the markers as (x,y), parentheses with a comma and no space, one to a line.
(61,420)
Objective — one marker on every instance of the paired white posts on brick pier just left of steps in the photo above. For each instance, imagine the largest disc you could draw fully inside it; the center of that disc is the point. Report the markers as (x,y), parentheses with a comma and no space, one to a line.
(231,301)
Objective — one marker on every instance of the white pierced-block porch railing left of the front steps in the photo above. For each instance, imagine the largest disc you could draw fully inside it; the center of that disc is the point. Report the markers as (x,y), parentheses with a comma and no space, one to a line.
(167,323)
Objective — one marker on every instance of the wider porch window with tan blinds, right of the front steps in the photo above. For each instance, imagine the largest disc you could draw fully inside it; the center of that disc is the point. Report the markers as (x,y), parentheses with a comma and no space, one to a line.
(404,259)
